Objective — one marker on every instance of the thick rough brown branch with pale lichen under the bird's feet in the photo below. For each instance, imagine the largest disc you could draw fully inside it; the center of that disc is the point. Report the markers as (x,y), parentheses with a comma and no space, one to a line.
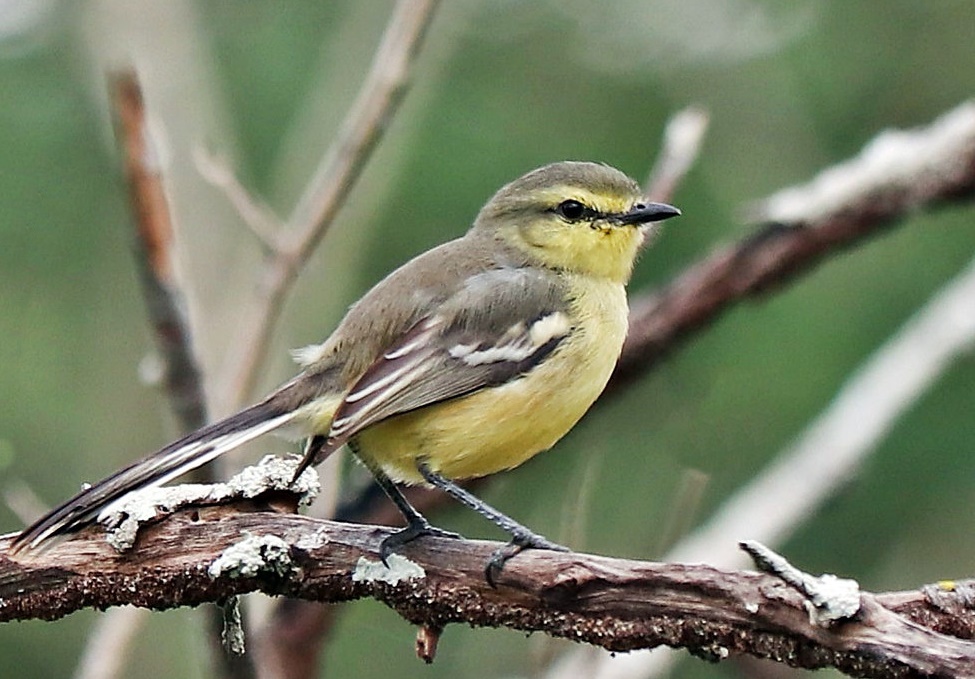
(617,604)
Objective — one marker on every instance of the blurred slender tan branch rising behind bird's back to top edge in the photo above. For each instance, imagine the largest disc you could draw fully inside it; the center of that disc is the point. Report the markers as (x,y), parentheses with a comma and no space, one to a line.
(364,125)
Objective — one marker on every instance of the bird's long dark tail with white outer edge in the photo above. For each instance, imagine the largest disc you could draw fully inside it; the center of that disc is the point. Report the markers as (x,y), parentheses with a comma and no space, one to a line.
(189,452)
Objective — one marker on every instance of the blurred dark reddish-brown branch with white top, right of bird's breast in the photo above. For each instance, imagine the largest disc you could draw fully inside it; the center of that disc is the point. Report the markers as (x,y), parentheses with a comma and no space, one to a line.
(896,175)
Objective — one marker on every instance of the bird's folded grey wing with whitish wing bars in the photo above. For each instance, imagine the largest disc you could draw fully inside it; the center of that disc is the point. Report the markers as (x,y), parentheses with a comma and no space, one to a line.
(496,328)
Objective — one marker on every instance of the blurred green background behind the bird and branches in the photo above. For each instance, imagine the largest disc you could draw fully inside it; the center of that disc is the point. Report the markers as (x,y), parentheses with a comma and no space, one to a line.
(501,87)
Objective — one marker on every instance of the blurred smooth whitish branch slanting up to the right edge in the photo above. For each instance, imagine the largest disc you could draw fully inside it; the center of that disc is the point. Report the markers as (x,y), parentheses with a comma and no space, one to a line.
(831,449)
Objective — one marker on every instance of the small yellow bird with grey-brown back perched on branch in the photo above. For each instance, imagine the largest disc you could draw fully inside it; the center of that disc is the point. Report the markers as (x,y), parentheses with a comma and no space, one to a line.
(467,360)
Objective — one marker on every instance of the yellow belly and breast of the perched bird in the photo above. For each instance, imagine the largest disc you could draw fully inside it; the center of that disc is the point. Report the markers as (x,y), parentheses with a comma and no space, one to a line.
(497,429)
